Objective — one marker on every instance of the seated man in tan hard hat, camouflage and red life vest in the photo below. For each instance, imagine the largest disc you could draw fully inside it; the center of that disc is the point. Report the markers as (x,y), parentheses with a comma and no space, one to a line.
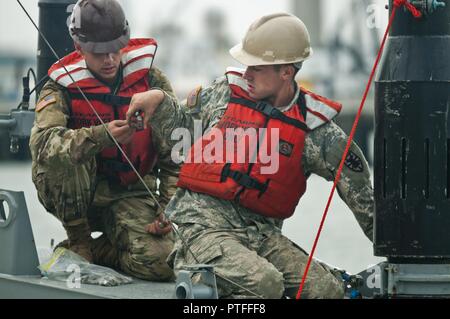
(231,212)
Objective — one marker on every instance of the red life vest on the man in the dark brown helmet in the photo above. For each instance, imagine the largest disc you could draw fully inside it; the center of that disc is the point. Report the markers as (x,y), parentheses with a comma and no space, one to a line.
(136,62)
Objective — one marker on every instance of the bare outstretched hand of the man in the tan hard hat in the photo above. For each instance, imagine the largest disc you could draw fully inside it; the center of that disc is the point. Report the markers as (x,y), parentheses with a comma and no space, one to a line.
(146,102)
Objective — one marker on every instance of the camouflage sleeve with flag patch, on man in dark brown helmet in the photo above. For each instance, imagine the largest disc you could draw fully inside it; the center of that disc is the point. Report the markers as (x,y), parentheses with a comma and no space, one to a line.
(51,142)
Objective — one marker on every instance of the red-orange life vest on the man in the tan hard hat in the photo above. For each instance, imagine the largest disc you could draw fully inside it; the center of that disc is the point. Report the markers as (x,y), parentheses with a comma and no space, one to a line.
(278,193)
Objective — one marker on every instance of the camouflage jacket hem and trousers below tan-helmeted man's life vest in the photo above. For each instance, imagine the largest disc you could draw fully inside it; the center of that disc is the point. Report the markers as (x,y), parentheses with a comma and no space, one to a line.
(245,248)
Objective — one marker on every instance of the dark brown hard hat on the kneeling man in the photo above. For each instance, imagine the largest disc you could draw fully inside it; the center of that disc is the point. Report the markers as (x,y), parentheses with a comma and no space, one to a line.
(99,26)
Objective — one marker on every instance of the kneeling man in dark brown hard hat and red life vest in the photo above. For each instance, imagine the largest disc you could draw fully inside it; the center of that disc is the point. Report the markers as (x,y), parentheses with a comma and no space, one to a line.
(80,175)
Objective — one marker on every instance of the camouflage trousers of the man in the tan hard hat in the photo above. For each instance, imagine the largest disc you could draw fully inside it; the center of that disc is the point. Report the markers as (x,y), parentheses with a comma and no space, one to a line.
(267,266)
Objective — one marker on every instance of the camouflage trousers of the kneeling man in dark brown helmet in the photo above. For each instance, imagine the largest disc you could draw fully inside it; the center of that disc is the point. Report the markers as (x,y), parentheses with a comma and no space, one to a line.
(72,193)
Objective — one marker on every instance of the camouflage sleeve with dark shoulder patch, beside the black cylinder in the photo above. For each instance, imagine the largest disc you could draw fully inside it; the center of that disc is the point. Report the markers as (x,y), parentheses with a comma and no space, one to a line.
(323,151)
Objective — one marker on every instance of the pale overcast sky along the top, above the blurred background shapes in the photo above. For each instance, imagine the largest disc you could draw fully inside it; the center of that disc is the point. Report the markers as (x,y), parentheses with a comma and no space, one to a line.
(18,35)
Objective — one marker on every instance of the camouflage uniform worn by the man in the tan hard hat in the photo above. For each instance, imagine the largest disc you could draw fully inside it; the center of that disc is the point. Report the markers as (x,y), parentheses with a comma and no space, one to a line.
(243,246)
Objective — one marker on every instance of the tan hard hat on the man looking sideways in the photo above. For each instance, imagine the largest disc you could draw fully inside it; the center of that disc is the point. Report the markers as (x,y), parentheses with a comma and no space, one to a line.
(278,38)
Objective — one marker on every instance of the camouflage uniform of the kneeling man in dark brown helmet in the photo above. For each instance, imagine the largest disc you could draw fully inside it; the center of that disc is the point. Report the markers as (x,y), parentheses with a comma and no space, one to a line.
(64,171)
